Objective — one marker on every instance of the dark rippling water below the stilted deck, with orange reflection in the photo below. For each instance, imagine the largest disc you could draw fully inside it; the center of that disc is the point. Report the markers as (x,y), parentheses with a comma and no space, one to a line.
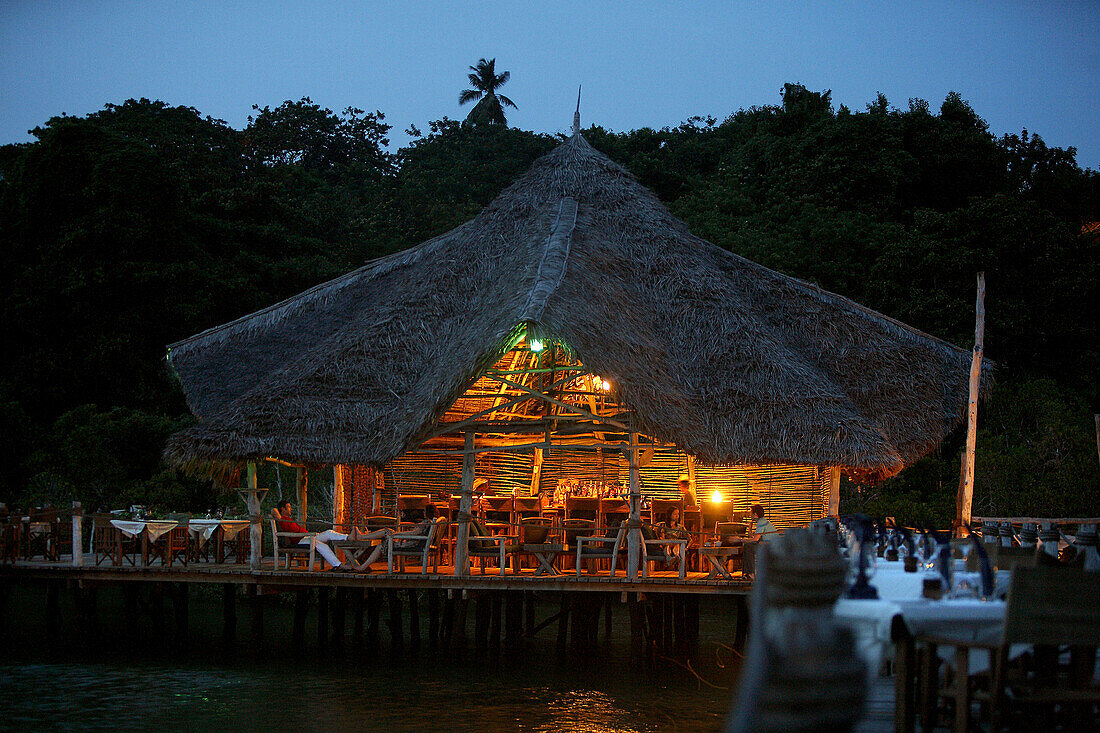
(130,680)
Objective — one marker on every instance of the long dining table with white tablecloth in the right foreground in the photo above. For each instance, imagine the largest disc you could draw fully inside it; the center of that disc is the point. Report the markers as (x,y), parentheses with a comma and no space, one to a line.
(888,627)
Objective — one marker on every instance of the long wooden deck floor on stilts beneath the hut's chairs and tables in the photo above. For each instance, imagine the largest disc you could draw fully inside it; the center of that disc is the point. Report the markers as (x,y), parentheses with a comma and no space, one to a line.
(445,579)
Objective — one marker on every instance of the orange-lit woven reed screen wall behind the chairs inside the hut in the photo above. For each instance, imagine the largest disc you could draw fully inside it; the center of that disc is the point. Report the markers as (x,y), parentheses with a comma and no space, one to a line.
(790,495)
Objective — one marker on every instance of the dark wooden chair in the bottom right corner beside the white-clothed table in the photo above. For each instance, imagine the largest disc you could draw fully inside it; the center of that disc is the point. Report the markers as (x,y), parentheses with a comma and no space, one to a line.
(1051,607)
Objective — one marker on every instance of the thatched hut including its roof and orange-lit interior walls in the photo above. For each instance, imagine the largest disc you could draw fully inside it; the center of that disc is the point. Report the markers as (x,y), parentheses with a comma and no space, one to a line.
(570,332)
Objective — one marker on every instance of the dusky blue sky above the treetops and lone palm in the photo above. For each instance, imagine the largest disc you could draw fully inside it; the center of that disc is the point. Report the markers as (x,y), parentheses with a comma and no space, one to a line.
(1033,65)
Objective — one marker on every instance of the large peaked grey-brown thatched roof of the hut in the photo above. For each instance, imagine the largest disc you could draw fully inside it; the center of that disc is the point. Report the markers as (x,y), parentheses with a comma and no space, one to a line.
(730,360)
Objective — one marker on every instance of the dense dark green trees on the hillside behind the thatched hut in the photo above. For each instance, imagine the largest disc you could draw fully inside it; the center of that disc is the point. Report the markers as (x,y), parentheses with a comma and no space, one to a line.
(144,224)
